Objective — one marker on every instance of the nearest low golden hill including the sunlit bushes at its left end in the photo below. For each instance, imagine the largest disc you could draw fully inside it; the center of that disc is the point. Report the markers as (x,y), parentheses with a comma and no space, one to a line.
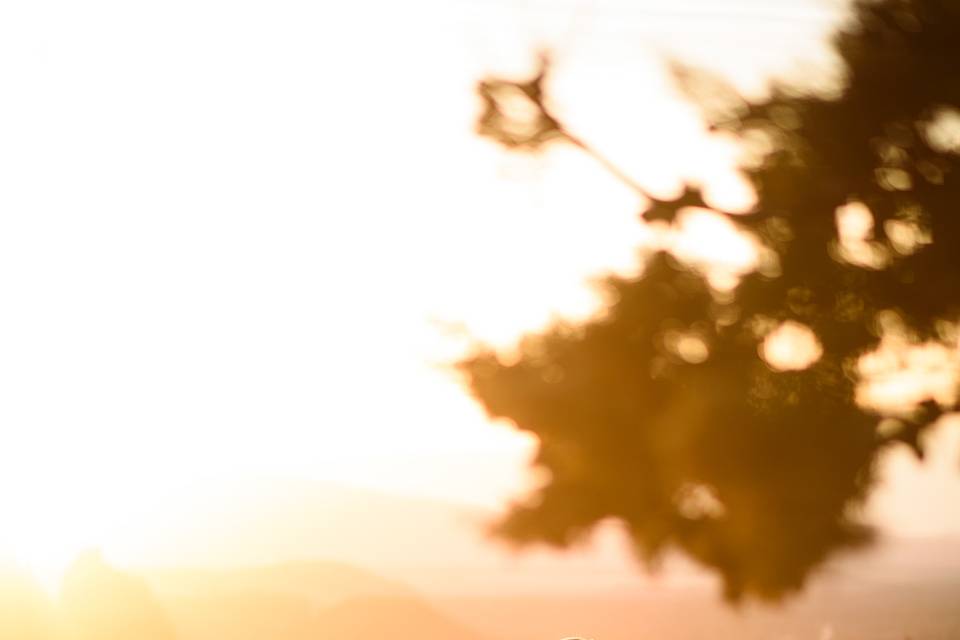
(292,601)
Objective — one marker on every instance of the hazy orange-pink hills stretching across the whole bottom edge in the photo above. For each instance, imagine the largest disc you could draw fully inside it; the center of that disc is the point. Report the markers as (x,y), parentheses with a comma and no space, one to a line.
(902,588)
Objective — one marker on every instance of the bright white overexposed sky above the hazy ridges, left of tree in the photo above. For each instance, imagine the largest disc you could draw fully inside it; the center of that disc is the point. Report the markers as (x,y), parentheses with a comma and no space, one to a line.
(247,237)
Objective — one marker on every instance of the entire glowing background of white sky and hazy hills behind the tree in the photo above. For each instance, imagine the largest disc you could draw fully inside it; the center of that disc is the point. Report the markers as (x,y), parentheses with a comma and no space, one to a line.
(241,244)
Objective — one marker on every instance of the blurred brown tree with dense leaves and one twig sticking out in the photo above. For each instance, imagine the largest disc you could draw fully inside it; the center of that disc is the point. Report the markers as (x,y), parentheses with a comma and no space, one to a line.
(741,425)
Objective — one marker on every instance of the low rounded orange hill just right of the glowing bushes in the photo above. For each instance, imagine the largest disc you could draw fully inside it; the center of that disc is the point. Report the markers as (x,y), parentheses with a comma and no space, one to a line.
(297,601)
